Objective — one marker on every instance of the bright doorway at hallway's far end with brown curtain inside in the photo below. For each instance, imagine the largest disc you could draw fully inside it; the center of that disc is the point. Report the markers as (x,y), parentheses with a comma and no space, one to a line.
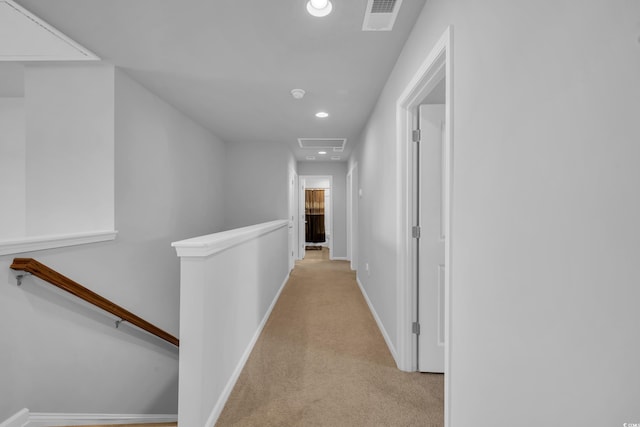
(315,213)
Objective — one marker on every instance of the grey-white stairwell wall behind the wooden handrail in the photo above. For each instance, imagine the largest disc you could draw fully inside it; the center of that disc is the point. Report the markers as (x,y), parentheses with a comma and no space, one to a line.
(60,357)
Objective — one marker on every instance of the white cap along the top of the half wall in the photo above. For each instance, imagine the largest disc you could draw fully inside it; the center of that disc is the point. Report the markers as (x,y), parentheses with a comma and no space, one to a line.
(210,244)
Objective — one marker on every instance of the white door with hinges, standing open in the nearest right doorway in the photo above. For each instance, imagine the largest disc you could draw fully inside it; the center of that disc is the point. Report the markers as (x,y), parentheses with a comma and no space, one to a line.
(431,250)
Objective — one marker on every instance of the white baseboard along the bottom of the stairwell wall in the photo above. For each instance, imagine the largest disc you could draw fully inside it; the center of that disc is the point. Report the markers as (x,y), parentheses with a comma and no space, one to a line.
(54,419)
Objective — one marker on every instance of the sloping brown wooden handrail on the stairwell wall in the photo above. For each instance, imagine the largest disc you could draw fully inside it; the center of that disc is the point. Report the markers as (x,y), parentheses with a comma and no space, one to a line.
(43,272)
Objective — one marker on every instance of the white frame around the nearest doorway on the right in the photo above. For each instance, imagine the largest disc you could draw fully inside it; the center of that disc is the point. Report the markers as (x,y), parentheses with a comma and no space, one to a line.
(438,63)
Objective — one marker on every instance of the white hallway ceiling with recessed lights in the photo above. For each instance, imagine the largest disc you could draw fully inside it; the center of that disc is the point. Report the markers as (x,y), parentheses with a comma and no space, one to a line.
(231,64)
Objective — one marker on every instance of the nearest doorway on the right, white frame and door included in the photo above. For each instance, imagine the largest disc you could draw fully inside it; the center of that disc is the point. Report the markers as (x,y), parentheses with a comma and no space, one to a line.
(433,79)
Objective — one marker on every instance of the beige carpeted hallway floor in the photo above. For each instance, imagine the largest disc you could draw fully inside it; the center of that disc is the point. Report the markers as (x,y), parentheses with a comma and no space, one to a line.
(322,361)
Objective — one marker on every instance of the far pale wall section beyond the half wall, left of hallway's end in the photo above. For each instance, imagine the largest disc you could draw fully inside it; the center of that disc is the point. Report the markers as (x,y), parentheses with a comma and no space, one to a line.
(256,183)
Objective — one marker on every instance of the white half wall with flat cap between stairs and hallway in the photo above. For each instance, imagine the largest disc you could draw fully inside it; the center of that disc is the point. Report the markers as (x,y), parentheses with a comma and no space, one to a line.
(224,306)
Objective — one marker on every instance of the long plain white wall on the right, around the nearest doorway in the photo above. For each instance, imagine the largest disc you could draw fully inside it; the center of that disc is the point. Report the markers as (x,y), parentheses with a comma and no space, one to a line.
(545,230)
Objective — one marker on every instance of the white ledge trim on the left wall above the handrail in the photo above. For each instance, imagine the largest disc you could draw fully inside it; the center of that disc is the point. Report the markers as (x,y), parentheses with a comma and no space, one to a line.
(38,243)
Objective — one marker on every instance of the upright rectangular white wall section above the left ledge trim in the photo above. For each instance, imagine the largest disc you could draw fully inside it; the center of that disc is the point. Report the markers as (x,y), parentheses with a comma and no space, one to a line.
(69,134)
